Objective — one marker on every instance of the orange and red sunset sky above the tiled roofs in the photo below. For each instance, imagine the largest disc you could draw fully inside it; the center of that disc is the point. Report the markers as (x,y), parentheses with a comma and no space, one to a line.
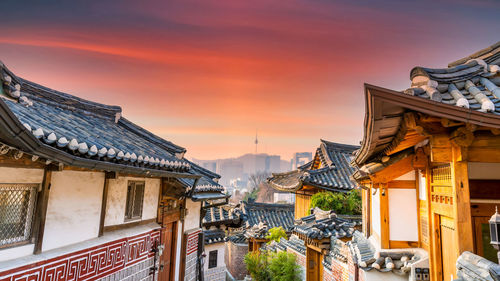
(206,74)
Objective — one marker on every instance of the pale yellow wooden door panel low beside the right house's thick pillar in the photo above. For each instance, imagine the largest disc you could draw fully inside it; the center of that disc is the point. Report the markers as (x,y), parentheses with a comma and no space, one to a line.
(448,246)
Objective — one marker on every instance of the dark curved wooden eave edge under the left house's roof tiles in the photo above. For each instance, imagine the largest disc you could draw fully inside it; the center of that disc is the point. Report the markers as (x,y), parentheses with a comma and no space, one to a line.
(17,134)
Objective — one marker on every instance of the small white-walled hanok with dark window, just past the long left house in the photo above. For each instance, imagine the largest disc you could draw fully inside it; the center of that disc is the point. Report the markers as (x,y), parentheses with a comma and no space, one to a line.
(216,222)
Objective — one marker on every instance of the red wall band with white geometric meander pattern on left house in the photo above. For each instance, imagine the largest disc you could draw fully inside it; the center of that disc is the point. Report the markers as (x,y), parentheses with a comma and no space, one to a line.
(88,264)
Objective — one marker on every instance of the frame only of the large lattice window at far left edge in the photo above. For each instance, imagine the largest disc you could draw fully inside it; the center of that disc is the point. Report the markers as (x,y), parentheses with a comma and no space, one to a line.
(29,214)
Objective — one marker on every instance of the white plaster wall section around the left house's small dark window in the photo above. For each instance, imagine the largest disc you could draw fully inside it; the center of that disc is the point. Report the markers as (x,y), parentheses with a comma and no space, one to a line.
(117,197)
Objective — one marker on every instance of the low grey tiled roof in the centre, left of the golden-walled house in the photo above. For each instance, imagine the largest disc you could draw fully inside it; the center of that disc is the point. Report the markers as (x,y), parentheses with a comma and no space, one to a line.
(273,215)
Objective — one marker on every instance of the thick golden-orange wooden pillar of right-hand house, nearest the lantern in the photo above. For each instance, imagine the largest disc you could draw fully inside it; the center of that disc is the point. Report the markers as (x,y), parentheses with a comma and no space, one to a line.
(462,211)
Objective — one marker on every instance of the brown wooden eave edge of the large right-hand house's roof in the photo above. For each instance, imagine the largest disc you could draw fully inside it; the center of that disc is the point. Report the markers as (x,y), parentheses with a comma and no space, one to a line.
(426,106)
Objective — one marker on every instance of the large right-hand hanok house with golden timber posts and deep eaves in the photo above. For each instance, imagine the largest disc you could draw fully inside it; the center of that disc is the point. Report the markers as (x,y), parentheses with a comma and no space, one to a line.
(430,162)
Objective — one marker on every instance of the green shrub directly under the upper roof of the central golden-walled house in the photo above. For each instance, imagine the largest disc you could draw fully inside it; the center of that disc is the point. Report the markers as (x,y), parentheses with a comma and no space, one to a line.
(341,203)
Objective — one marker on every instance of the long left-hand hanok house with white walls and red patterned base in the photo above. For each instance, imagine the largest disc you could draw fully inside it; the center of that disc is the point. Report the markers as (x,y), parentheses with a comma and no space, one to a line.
(85,194)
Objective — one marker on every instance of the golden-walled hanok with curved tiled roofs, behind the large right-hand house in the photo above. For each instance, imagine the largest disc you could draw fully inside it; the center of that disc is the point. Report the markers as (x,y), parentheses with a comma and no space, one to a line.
(329,170)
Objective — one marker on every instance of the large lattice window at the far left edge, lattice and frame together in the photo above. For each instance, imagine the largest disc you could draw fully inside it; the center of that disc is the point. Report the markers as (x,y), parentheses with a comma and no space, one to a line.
(17,205)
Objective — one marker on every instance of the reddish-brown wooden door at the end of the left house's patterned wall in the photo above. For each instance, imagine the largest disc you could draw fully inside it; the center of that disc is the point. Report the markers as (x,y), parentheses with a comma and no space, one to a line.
(167,259)
